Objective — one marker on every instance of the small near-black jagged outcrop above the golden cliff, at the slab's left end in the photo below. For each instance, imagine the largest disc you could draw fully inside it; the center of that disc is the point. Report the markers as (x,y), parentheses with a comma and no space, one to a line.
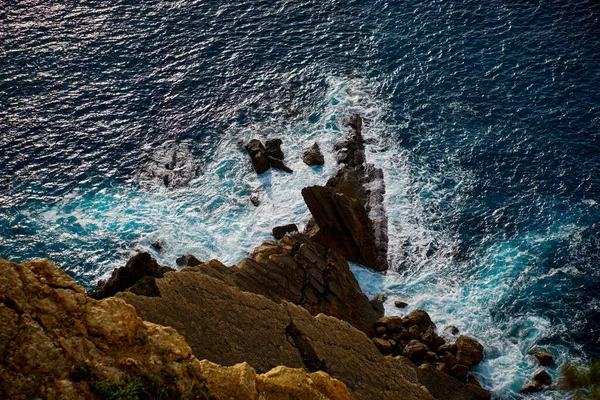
(142,265)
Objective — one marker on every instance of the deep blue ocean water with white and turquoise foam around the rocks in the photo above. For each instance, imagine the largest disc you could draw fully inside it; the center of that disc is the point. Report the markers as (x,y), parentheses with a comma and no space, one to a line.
(485,117)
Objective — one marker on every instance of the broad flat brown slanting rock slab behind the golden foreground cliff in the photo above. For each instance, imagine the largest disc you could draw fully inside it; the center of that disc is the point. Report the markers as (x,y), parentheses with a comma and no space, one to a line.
(226,325)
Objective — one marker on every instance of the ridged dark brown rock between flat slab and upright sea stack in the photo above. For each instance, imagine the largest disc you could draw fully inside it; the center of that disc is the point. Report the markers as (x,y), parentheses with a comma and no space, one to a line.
(302,272)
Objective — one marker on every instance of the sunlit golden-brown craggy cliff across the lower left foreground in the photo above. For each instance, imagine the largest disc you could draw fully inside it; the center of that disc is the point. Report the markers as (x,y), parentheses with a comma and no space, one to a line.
(58,343)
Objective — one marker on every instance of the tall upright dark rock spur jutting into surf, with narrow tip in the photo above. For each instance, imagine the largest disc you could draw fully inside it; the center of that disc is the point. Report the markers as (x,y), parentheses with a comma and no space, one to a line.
(348,212)
